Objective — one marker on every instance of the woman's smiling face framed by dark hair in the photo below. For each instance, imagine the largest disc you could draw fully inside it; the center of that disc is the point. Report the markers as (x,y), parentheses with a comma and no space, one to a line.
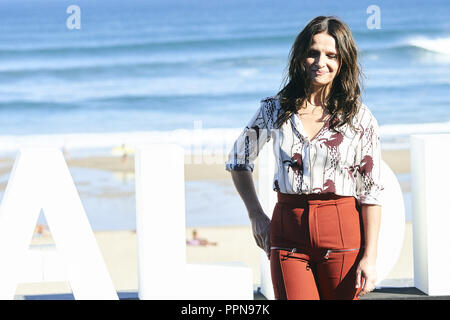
(322,60)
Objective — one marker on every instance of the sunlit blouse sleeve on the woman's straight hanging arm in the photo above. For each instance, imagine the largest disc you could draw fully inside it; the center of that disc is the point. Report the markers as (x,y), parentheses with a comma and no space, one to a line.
(369,186)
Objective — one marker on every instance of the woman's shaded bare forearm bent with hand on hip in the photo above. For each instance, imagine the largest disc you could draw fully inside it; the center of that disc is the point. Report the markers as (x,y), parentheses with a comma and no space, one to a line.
(243,181)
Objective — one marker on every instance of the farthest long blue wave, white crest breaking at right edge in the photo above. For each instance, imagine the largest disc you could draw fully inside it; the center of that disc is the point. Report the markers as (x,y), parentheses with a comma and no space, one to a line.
(228,51)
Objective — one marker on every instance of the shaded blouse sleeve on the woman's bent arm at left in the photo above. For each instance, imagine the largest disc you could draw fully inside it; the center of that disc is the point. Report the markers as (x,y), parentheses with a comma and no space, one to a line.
(247,146)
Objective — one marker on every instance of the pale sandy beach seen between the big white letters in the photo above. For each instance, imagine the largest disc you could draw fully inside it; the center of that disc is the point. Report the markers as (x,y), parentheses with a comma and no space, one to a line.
(233,243)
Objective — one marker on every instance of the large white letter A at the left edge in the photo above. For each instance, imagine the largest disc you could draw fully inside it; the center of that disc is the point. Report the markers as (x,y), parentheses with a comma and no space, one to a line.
(40,179)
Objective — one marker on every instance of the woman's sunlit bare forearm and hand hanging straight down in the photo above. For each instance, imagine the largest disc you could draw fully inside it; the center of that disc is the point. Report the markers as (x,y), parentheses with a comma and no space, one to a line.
(371,215)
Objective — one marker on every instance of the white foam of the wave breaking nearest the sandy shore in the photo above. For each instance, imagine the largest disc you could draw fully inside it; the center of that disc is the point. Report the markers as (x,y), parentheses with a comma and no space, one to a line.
(197,140)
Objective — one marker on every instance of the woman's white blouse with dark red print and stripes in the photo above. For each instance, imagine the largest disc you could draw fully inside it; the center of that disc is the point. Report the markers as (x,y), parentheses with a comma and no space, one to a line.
(343,162)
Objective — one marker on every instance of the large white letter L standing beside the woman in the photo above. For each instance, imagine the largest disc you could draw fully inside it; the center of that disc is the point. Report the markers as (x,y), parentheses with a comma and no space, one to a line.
(161,233)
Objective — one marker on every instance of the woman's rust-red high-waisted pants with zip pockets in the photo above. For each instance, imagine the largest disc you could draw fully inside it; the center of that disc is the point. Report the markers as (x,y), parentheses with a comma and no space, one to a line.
(316,245)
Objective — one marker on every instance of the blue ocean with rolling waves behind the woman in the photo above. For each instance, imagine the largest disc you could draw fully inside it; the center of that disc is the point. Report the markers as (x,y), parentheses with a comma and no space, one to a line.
(141,71)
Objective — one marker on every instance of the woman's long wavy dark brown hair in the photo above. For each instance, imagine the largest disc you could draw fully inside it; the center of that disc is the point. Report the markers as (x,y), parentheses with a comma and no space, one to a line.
(344,96)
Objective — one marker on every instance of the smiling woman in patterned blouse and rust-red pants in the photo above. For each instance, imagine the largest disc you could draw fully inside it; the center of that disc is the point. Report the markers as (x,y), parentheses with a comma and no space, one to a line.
(322,239)
